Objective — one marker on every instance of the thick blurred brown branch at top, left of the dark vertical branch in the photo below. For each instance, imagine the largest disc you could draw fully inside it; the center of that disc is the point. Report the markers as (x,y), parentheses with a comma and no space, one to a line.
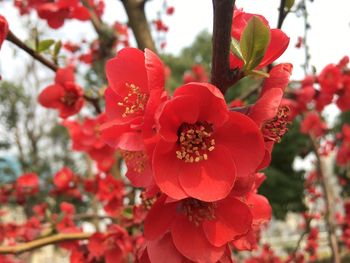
(135,10)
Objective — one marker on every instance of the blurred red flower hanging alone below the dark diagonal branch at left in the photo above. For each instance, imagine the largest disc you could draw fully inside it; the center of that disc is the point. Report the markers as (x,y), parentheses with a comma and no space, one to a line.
(64,95)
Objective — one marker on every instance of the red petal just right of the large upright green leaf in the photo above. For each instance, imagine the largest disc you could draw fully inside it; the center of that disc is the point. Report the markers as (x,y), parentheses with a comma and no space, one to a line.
(278,44)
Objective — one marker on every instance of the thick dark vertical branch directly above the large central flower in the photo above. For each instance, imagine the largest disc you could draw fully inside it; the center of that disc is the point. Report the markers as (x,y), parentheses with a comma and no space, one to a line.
(221,74)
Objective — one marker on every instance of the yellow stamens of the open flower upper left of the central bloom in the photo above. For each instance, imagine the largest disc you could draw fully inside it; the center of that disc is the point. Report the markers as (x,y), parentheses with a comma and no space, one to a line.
(134,102)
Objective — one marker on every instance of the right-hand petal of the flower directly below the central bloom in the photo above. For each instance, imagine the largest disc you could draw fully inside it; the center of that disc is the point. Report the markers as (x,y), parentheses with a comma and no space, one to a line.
(233,218)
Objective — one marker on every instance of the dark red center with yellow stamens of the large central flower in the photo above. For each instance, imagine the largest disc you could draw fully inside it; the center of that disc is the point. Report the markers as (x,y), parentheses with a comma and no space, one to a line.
(195,141)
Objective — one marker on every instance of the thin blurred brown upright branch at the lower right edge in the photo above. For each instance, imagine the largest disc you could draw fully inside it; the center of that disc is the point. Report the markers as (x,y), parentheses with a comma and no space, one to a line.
(329,203)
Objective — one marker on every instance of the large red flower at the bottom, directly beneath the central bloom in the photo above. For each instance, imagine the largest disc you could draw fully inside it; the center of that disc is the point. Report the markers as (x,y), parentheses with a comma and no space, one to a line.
(198,230)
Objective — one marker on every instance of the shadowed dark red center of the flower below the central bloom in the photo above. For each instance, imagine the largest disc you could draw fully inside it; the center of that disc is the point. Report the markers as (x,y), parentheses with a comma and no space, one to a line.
(196,211)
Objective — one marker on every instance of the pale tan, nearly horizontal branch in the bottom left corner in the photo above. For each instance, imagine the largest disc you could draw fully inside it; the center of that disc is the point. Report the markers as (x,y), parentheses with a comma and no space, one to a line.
(38,243)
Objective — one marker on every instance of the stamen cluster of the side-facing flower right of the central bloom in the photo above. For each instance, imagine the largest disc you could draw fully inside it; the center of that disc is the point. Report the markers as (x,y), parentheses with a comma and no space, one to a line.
(274,129)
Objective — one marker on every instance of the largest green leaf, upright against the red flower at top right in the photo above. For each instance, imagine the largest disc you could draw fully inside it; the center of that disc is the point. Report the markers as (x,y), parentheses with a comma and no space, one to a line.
(254,42)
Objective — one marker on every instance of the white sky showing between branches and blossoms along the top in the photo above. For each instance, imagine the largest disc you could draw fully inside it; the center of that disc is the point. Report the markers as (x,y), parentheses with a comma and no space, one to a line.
(329,37)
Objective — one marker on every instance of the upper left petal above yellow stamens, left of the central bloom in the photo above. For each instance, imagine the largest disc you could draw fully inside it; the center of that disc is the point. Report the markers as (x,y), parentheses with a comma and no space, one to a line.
(127,67)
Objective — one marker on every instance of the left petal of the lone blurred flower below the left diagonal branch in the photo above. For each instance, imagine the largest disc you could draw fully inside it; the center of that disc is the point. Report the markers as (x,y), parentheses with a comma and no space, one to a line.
(51,95)
